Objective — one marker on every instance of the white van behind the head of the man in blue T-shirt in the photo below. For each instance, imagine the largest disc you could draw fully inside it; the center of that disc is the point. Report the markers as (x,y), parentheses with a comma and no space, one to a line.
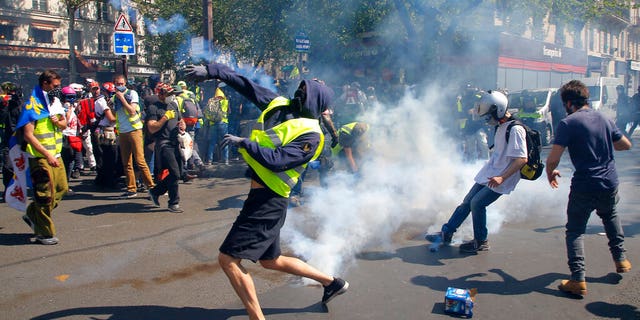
(602,94)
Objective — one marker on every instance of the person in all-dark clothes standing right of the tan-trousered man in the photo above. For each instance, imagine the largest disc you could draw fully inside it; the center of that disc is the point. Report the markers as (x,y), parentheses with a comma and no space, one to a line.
(165,123)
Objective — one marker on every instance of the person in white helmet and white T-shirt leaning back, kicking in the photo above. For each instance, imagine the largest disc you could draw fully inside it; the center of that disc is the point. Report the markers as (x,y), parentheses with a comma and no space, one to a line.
(498,176)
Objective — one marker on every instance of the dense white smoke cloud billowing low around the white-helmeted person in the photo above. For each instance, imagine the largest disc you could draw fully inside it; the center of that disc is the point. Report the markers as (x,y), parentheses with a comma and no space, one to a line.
(415,176)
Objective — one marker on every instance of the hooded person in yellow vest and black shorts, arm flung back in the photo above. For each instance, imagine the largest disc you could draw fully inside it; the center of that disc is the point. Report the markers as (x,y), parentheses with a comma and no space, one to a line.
(287,136)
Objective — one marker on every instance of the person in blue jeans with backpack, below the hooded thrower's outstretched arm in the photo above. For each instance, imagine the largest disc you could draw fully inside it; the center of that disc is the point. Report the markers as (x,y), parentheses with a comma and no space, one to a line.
(216,115)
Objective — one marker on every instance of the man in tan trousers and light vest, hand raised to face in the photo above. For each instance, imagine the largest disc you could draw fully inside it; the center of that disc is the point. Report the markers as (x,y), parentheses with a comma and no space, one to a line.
(129,125)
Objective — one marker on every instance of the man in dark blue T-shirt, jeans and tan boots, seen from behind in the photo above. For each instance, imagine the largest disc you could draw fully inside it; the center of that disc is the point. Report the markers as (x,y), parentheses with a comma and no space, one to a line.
(591,139)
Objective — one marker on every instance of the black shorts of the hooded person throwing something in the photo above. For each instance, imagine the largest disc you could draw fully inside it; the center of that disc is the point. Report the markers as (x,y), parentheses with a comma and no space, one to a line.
(255,235)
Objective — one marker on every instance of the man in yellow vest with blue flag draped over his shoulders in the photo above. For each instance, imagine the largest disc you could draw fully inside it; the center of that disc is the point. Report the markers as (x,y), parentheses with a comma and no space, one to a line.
(41,123)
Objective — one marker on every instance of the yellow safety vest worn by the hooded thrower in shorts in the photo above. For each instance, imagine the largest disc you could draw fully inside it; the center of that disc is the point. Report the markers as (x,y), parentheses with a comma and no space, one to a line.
(280,135)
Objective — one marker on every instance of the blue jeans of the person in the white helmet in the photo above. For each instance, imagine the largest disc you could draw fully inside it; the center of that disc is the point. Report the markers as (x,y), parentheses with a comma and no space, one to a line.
(475,202)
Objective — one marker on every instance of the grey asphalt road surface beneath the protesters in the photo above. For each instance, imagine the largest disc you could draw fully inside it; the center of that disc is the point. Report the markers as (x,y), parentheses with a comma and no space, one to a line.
(125,259)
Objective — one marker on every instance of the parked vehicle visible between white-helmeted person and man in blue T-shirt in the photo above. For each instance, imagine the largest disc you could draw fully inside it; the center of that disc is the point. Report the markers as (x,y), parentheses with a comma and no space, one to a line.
(534,109)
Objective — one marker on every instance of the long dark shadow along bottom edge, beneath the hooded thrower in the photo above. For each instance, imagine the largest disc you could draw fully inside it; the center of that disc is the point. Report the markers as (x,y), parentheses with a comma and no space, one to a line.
(168,313)
